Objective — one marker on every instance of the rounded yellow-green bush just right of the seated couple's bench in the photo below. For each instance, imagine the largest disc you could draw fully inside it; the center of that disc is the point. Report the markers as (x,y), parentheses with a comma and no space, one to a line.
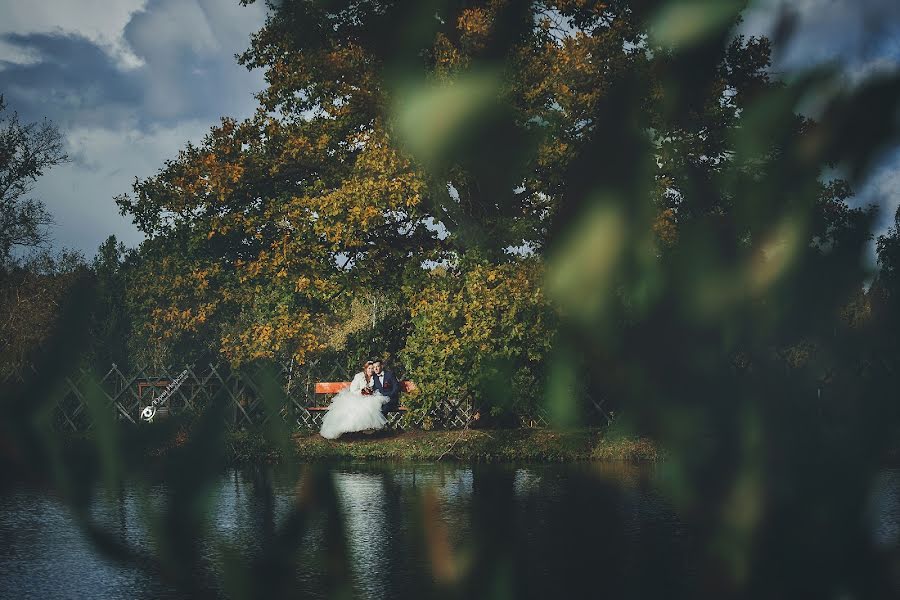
(481,333)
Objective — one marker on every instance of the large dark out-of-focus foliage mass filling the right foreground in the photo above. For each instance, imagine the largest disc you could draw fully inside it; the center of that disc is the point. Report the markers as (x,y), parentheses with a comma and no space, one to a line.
(734,337)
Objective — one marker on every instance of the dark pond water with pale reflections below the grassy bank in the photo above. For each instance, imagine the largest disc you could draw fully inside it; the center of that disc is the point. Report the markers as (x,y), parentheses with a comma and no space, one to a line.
(515,531)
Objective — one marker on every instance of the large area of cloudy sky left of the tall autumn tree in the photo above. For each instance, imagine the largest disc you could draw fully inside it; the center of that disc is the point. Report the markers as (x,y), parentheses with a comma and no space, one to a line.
(129,83)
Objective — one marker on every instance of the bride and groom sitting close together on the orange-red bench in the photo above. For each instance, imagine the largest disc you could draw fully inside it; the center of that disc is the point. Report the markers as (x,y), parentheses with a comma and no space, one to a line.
(362,406)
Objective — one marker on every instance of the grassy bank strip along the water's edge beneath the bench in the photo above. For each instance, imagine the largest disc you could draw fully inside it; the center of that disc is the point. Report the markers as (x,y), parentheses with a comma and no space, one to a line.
(498,445)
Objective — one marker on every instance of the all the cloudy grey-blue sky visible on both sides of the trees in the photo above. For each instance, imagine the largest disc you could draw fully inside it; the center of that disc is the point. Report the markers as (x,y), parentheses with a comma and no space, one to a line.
(129,82)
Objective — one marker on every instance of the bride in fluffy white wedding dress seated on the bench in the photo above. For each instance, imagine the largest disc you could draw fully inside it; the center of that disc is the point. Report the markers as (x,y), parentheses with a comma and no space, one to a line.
(356,408)
